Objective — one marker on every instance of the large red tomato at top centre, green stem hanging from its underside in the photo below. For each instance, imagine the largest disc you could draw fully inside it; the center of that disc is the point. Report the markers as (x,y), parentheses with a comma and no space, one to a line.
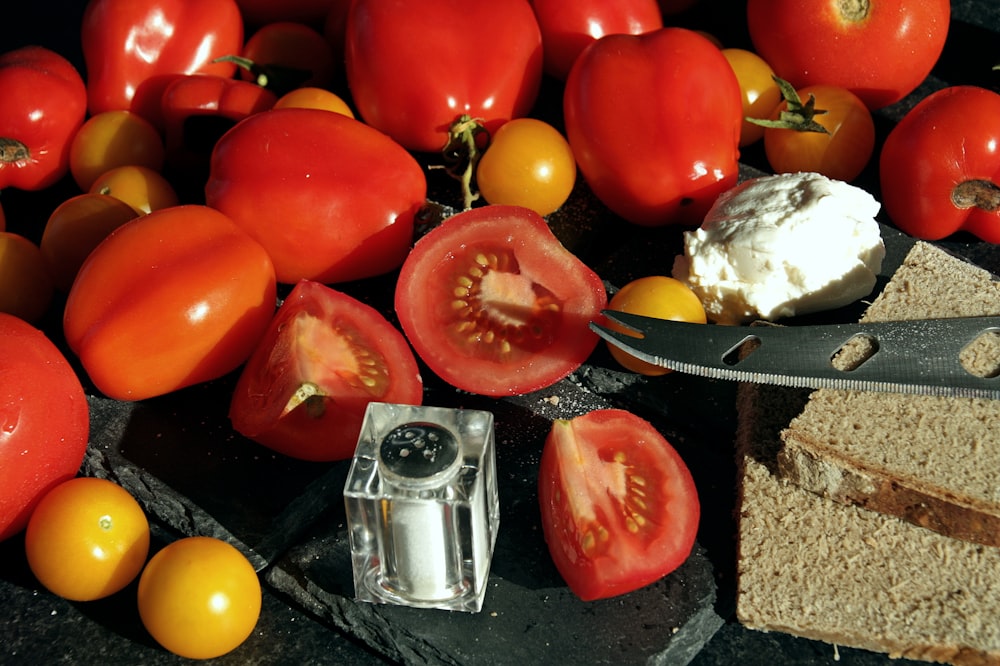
(414,68)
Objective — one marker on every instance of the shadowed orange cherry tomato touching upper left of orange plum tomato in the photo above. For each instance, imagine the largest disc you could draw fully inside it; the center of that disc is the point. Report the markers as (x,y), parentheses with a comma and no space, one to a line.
(75,228)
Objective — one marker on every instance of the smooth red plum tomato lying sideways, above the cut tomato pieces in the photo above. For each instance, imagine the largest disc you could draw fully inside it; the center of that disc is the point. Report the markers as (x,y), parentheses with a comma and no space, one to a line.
(344,206)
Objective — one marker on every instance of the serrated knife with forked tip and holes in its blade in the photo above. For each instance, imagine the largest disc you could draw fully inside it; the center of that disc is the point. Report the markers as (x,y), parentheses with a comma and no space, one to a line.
(918,356)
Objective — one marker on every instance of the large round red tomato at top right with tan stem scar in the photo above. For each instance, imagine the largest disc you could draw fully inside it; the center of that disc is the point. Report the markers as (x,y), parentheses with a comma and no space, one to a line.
(880,50)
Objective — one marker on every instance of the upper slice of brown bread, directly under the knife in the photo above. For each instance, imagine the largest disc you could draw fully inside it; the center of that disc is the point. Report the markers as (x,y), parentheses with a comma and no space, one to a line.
(931,460)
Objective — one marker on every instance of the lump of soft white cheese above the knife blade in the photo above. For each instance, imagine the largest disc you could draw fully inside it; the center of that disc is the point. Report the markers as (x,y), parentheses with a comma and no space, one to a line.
(778,246)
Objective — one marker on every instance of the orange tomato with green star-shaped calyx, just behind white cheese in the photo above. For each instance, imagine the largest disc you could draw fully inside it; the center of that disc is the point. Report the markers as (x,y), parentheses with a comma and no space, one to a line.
(842,152)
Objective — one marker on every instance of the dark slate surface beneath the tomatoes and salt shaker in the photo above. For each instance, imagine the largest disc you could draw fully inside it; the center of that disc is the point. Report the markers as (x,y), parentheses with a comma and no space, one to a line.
(180,458)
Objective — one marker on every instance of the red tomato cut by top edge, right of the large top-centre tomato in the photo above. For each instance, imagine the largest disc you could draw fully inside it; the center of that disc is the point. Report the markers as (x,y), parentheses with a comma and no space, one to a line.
(567,28)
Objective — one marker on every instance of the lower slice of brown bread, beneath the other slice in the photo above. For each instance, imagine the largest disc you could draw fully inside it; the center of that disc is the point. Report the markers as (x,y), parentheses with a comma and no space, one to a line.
(826,570)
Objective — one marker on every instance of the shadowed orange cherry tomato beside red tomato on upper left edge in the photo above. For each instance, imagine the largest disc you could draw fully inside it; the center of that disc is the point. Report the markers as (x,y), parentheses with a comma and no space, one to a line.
(110,139)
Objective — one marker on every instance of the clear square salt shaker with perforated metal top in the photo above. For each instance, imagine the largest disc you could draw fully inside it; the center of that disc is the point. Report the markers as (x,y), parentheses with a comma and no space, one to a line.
(422,506)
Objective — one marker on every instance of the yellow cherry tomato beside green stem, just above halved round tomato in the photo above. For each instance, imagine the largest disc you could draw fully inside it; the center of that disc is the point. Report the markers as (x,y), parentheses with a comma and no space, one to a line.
(528,163)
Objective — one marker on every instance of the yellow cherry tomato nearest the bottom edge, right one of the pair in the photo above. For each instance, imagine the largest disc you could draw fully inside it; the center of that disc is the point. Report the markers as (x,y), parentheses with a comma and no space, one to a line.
(199,597)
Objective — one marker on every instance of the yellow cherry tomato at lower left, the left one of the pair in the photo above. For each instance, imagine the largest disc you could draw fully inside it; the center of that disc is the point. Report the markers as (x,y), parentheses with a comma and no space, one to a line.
(87,538)
